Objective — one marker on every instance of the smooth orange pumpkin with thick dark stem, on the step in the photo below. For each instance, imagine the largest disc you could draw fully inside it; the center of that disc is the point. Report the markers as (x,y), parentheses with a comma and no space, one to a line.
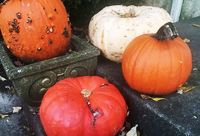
(158,63)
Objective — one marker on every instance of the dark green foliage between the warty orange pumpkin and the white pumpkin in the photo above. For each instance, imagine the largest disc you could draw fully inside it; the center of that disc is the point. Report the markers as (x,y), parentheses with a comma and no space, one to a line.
(81,11)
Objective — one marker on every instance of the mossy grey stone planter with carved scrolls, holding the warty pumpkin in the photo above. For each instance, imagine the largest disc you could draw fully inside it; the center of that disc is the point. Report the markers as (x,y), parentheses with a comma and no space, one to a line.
(31,81)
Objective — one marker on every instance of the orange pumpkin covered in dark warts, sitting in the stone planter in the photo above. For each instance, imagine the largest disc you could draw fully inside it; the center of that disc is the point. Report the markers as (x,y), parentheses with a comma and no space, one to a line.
(35,30)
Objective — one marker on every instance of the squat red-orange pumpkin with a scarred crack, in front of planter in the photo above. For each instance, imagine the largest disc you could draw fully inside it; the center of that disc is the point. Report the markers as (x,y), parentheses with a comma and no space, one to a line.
(83,106)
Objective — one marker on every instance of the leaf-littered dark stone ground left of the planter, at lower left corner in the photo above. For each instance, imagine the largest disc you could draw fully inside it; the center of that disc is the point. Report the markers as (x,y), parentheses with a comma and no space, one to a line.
(11,124)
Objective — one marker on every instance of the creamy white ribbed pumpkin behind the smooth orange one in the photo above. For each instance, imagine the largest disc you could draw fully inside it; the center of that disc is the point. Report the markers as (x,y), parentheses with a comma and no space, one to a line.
(114,27)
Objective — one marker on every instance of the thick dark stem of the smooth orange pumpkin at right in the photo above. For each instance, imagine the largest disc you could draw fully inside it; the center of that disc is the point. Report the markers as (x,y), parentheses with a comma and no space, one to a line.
(166,32)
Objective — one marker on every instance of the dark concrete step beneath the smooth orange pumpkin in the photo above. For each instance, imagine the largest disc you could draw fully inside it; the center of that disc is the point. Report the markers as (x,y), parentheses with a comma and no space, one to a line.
(179,114)
